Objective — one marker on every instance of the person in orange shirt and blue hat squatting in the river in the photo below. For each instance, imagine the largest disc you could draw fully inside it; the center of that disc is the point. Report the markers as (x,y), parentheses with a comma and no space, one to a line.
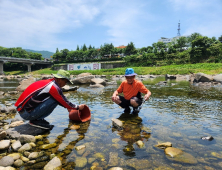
(131,89)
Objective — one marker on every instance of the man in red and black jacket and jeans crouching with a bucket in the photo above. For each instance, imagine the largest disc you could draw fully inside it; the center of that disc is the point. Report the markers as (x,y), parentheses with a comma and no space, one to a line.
(41,98)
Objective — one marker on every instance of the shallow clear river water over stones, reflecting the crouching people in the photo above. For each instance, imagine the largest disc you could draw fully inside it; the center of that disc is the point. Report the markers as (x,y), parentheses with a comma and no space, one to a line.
(179,113)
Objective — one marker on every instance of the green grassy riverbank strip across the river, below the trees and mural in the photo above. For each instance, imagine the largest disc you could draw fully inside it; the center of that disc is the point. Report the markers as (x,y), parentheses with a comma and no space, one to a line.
(207,68)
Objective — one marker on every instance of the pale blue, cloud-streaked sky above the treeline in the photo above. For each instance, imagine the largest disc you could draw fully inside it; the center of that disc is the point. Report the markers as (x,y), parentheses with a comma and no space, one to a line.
(64,24)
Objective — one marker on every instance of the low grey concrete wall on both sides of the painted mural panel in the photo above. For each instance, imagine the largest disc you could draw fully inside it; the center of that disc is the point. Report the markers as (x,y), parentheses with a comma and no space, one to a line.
(103,66)
